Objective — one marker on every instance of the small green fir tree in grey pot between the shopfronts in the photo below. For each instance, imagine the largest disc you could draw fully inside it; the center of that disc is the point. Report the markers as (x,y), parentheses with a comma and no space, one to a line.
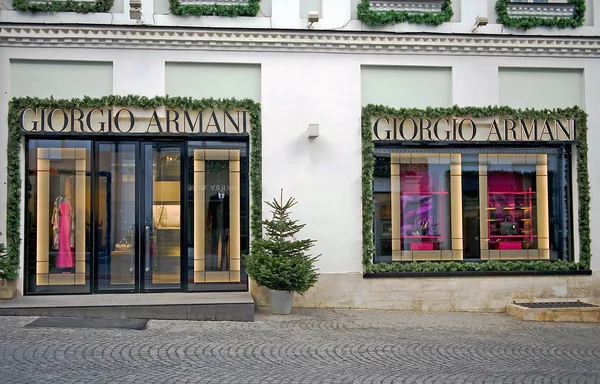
(279,261)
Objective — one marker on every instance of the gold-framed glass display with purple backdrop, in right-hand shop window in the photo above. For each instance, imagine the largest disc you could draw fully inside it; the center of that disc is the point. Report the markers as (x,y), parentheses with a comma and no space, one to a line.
(423,187)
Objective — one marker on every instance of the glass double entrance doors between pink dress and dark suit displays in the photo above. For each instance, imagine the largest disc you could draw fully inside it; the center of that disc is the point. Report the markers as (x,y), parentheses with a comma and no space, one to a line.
(139,216)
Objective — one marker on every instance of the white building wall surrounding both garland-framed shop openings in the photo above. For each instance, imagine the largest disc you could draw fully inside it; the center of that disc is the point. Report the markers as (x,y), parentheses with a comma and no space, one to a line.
(297,87)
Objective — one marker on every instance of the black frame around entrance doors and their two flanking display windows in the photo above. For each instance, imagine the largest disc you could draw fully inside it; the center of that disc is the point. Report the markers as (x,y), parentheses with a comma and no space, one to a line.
(139,141)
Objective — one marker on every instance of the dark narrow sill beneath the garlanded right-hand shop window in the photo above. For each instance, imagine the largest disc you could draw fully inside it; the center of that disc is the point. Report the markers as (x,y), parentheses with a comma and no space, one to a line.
(475,274)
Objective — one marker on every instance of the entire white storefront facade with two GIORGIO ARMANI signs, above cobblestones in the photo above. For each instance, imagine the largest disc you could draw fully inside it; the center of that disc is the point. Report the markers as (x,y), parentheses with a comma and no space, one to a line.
(406,97)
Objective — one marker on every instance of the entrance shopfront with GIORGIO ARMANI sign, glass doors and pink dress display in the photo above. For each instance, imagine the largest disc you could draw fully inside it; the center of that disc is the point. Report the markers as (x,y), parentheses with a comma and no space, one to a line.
(169,213)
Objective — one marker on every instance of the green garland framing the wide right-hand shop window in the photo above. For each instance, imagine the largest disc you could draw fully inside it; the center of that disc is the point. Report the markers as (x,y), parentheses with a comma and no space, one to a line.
(368,202)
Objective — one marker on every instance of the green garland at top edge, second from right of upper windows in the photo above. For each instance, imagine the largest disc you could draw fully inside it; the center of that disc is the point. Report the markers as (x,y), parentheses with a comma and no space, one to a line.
(372,17)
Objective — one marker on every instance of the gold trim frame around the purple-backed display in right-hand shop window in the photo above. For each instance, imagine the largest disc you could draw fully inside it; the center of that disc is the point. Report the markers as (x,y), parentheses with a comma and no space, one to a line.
(456,251)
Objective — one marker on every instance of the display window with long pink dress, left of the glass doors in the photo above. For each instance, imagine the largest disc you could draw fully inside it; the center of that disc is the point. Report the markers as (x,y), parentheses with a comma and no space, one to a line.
(58,215)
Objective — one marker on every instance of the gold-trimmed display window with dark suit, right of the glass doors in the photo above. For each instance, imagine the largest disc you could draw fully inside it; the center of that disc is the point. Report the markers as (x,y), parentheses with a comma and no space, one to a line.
(217,229)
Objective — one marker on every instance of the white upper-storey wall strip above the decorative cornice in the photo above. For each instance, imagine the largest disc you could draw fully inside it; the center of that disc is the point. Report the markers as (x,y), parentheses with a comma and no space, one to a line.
(288,14)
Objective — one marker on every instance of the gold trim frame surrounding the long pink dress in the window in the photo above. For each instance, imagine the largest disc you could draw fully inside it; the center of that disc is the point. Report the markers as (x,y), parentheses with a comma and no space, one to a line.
(44,158)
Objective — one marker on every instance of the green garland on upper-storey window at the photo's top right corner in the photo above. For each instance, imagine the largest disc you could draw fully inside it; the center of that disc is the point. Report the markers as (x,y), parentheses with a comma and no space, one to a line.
(533,21)
